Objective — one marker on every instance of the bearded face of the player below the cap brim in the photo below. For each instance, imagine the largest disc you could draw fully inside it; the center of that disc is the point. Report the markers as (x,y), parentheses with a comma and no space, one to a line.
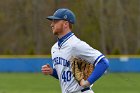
(57,26)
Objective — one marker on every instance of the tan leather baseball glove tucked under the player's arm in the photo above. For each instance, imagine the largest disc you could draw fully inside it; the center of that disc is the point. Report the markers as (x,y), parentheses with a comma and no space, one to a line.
(81,69)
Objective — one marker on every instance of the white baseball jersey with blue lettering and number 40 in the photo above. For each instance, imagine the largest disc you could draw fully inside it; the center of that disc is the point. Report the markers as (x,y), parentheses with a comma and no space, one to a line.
(71,46)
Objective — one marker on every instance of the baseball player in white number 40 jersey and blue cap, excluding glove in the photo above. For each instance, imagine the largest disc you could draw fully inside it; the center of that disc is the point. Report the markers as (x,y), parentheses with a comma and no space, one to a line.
(69,45)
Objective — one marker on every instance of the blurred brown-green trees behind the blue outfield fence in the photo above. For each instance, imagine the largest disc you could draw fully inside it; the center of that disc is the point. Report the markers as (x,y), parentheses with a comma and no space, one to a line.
(112,26)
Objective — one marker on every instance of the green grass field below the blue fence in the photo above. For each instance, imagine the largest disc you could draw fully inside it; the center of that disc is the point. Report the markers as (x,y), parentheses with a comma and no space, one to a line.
(38,83)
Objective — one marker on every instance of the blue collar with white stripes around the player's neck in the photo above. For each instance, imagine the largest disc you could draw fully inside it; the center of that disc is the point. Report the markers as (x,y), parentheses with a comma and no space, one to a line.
(62,40)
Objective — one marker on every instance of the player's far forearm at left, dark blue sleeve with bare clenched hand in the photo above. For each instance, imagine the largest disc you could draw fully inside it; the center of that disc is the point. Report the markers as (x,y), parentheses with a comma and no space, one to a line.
(47,70)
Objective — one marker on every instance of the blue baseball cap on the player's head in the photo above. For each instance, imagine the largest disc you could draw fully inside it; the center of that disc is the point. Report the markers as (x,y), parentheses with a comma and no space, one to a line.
(63,14)
